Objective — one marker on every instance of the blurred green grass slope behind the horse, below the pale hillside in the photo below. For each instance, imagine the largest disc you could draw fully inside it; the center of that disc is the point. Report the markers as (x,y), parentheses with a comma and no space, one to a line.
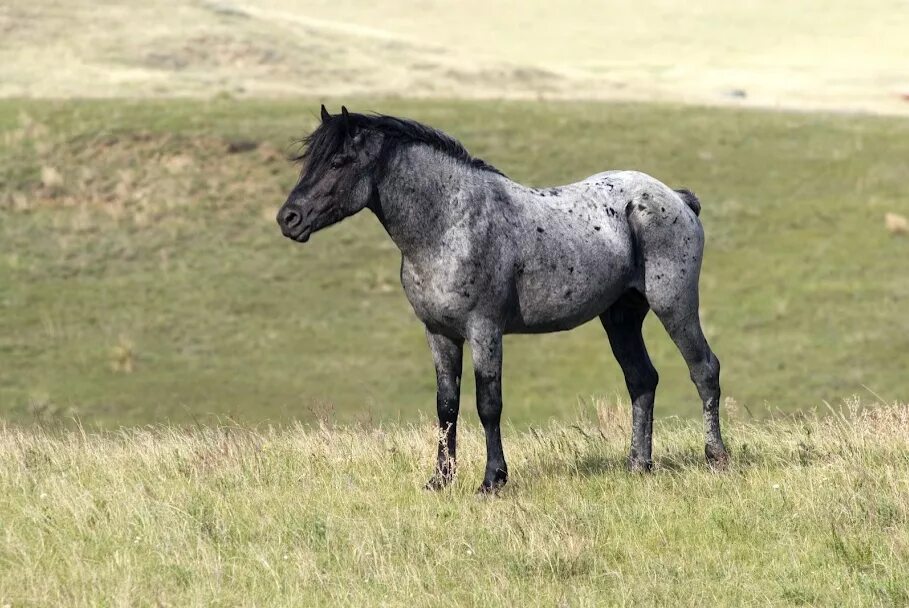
(149,283)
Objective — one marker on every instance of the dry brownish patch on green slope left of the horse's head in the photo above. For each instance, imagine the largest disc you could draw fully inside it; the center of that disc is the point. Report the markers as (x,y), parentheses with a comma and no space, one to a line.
(142,177)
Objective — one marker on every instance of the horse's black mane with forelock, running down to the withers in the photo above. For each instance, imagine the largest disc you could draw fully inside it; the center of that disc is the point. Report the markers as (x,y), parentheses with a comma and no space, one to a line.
(326,141)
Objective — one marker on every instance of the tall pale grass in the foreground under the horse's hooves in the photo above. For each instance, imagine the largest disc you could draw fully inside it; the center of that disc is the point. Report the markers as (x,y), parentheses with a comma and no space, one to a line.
(814,510)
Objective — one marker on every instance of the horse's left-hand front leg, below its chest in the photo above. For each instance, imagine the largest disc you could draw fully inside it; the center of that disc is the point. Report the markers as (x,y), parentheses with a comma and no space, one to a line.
(447,354)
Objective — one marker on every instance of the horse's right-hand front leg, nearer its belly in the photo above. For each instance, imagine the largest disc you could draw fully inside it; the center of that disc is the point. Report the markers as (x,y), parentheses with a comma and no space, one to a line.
(486,348)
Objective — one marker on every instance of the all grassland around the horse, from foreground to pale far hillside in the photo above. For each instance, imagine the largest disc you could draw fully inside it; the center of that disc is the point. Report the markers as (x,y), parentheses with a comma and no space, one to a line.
(196,411)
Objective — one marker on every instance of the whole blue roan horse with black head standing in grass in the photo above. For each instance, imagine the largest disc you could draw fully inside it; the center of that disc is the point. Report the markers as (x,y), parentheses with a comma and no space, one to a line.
(483,256)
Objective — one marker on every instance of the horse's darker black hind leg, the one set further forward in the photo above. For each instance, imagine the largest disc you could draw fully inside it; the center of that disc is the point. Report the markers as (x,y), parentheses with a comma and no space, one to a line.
(623,322)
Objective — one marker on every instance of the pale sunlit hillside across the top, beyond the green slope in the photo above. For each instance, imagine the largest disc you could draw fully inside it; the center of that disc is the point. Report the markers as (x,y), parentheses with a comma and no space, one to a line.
(833,55)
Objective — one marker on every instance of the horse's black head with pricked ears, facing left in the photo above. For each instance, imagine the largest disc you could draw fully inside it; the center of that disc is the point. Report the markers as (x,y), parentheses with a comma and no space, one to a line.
(337,179)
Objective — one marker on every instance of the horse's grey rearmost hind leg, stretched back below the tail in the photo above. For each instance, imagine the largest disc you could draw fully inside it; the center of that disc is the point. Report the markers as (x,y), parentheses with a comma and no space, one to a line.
(679,314)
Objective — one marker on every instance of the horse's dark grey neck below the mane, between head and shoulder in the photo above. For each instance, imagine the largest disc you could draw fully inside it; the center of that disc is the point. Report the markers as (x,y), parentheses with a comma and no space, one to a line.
(421,195)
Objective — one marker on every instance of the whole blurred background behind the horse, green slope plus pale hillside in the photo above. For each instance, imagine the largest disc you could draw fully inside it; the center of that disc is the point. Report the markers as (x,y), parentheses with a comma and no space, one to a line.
(143,157)
